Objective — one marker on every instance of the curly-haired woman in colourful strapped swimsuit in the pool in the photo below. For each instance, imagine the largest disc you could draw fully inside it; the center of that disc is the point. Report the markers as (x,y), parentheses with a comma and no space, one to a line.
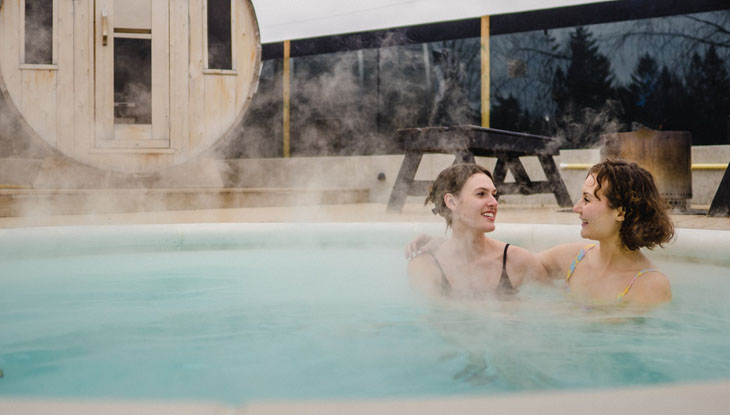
(621,209)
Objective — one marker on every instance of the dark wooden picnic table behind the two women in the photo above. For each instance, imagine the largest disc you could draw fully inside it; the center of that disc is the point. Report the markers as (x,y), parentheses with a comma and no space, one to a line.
(468,141)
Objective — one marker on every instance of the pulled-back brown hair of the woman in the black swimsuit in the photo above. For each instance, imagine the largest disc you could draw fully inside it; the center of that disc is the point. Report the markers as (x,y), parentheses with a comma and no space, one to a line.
(451,180)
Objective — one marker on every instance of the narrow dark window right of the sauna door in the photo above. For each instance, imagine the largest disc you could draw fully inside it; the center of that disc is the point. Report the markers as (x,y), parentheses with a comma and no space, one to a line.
(219,34)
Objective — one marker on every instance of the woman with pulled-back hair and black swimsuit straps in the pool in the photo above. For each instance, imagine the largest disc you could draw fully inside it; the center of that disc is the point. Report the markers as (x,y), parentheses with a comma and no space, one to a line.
(468,263)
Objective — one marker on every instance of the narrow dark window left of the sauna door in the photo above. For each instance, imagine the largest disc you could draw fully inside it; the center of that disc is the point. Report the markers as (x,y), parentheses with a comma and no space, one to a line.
(38,31)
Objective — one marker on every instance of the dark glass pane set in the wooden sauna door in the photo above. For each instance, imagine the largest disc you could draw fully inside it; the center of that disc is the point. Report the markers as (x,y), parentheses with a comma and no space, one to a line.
(132,81)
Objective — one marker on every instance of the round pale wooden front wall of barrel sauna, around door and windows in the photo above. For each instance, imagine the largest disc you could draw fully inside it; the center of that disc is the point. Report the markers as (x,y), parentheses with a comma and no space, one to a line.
(57,101)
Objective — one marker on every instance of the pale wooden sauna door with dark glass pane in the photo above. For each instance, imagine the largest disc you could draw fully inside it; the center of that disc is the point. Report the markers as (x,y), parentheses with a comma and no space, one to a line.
(131,74)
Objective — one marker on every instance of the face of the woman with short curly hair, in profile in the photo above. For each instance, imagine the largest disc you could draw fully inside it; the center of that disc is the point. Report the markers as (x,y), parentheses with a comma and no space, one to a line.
(598,220)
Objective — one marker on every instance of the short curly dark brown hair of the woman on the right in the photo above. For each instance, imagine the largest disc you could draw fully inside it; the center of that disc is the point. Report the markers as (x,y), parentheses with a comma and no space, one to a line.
(630,187)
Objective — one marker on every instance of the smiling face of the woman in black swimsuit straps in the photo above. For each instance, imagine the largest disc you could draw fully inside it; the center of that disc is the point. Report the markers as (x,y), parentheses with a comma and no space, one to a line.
(476,205)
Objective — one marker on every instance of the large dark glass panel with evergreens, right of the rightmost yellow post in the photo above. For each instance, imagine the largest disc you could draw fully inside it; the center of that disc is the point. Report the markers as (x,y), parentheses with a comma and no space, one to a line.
(668,73)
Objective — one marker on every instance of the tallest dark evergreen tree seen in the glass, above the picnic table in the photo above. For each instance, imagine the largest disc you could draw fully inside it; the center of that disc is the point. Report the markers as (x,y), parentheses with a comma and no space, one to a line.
(581,93)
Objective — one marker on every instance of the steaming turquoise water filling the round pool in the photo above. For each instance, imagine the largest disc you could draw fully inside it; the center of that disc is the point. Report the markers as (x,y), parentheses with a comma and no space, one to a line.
(301,321)
